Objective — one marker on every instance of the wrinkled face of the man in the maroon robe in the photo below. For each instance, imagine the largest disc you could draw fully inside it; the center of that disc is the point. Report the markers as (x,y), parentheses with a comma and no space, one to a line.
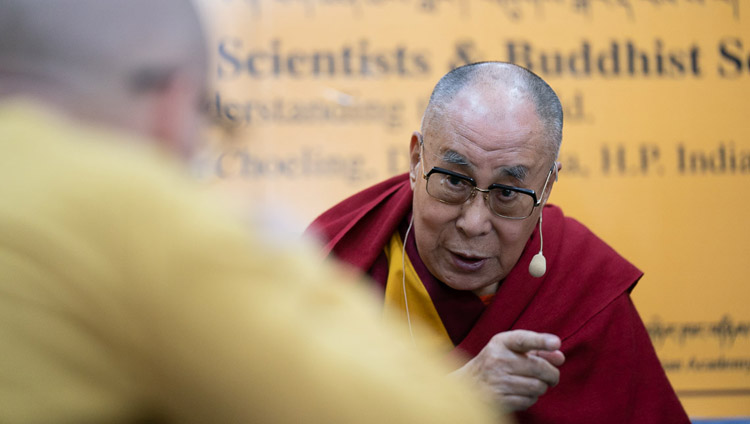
(493,140)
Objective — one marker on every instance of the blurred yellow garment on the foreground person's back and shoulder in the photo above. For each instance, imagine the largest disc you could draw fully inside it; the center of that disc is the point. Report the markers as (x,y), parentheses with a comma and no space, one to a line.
(127,294)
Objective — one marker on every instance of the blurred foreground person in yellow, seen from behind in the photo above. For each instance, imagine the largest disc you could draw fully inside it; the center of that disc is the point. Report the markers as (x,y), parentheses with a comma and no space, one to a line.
(128,296)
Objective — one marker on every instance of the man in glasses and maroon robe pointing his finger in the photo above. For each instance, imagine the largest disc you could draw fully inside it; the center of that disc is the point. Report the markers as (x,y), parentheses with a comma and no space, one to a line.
(465,245)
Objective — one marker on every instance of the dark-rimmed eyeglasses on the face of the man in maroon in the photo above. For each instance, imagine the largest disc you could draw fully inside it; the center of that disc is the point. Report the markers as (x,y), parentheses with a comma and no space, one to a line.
(503,200)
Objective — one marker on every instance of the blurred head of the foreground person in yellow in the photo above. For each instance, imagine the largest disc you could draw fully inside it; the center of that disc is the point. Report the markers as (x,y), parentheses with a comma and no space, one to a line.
(136,65)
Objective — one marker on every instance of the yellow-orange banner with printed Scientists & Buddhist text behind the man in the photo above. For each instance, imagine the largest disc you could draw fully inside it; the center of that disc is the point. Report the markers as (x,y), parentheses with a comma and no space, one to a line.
(317,99)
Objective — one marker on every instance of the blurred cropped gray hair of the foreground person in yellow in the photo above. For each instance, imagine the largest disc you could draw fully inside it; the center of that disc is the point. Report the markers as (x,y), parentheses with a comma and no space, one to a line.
(95,44)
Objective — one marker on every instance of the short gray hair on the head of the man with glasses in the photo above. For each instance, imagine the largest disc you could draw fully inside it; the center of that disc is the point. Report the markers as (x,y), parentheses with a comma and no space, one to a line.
(486,77)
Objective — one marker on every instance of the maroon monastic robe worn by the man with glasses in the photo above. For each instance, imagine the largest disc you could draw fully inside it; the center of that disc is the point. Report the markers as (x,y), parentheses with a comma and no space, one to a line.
(611,373)
